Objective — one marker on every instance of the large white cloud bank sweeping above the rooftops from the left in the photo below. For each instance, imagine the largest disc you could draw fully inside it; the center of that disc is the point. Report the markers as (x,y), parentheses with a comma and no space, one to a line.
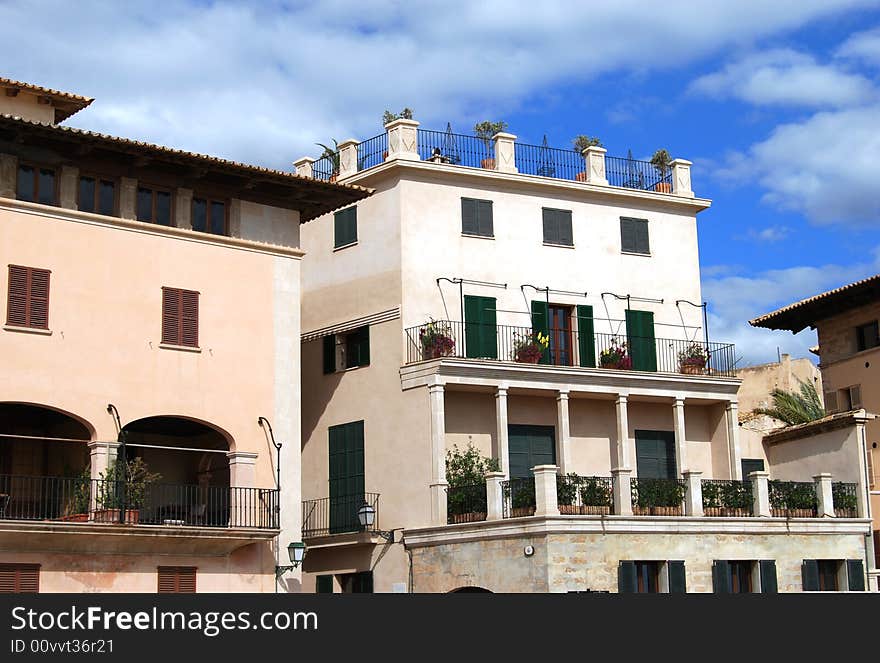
(264,82)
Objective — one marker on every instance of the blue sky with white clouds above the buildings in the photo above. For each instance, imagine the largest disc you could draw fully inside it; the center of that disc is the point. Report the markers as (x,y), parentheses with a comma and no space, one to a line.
(777,104)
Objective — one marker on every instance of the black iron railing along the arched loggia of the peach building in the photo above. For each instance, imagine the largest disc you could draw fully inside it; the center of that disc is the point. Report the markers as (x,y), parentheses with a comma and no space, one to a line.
(72,499)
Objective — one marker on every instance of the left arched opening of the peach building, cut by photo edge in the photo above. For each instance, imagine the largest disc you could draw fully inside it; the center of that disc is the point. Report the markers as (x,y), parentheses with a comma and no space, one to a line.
(44,462)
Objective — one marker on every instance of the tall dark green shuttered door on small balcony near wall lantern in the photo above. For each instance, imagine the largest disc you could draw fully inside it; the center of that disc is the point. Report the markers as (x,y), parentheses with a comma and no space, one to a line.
(346,476)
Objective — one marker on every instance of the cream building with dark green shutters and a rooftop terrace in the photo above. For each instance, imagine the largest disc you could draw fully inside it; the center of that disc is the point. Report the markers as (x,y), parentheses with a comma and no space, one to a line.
(422,305)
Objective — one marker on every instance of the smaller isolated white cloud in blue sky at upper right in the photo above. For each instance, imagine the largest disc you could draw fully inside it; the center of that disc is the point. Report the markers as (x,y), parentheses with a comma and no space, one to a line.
(788,78)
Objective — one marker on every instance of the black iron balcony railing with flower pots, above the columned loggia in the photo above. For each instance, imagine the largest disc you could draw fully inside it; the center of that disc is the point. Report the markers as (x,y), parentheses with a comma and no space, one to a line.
(446,338)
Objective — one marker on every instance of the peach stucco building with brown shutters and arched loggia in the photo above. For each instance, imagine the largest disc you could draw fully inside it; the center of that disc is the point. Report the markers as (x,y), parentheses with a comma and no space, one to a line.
(152,299)
